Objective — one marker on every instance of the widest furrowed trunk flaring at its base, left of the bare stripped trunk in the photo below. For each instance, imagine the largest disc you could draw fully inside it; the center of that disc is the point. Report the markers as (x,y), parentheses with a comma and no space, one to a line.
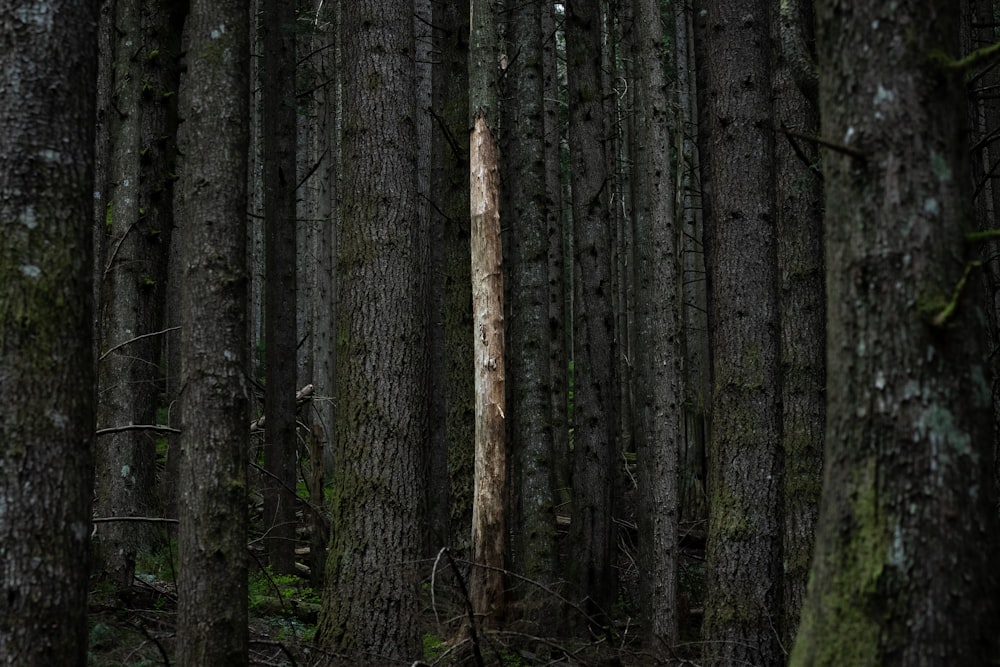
(371,599)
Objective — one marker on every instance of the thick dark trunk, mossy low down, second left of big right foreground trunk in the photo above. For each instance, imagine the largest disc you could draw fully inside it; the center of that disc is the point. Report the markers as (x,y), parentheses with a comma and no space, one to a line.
(743,552)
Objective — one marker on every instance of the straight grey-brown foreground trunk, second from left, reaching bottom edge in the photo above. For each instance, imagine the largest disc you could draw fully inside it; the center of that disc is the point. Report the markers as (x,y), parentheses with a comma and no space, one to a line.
(214,107)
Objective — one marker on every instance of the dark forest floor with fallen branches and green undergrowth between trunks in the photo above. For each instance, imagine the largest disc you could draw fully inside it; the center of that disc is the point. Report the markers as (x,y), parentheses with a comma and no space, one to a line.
(137,626)
